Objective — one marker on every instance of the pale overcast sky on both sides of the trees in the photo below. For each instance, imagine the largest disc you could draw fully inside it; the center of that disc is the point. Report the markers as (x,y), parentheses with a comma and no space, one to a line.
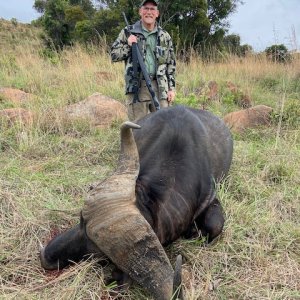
(260,23)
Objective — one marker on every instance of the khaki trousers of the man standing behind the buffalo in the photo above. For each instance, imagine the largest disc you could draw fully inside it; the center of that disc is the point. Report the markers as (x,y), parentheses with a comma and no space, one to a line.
(140,109)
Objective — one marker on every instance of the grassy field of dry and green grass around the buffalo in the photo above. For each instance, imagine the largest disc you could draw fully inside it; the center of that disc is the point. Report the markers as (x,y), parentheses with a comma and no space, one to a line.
(46,169)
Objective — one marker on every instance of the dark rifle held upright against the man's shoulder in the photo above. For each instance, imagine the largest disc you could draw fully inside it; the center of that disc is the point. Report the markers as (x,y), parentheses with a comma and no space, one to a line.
(137,59)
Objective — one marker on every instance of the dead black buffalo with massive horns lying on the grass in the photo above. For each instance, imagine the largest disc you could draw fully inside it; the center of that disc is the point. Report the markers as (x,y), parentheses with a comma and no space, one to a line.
(163,188)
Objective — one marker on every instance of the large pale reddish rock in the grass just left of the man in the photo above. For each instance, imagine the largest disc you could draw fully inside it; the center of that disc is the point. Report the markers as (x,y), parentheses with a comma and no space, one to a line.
(99,110)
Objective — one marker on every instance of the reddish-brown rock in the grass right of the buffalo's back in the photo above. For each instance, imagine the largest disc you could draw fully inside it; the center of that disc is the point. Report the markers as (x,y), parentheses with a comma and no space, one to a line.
(258,115)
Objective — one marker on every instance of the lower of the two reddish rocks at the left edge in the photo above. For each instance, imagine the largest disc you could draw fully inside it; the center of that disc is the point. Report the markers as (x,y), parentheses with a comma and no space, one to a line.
(12,116)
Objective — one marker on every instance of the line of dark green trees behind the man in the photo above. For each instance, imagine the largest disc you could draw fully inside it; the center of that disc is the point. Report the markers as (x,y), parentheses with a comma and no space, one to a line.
(200,25)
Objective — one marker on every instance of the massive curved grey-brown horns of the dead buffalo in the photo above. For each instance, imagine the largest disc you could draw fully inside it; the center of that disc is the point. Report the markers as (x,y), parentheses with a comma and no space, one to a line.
(116,226)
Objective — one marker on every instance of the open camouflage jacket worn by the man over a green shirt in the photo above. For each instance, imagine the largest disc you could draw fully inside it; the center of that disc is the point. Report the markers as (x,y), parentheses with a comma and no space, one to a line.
(164,53)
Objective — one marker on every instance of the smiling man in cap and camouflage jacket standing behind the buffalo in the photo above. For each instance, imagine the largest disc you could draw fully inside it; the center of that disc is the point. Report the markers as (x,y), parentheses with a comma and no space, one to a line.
(157,50)
